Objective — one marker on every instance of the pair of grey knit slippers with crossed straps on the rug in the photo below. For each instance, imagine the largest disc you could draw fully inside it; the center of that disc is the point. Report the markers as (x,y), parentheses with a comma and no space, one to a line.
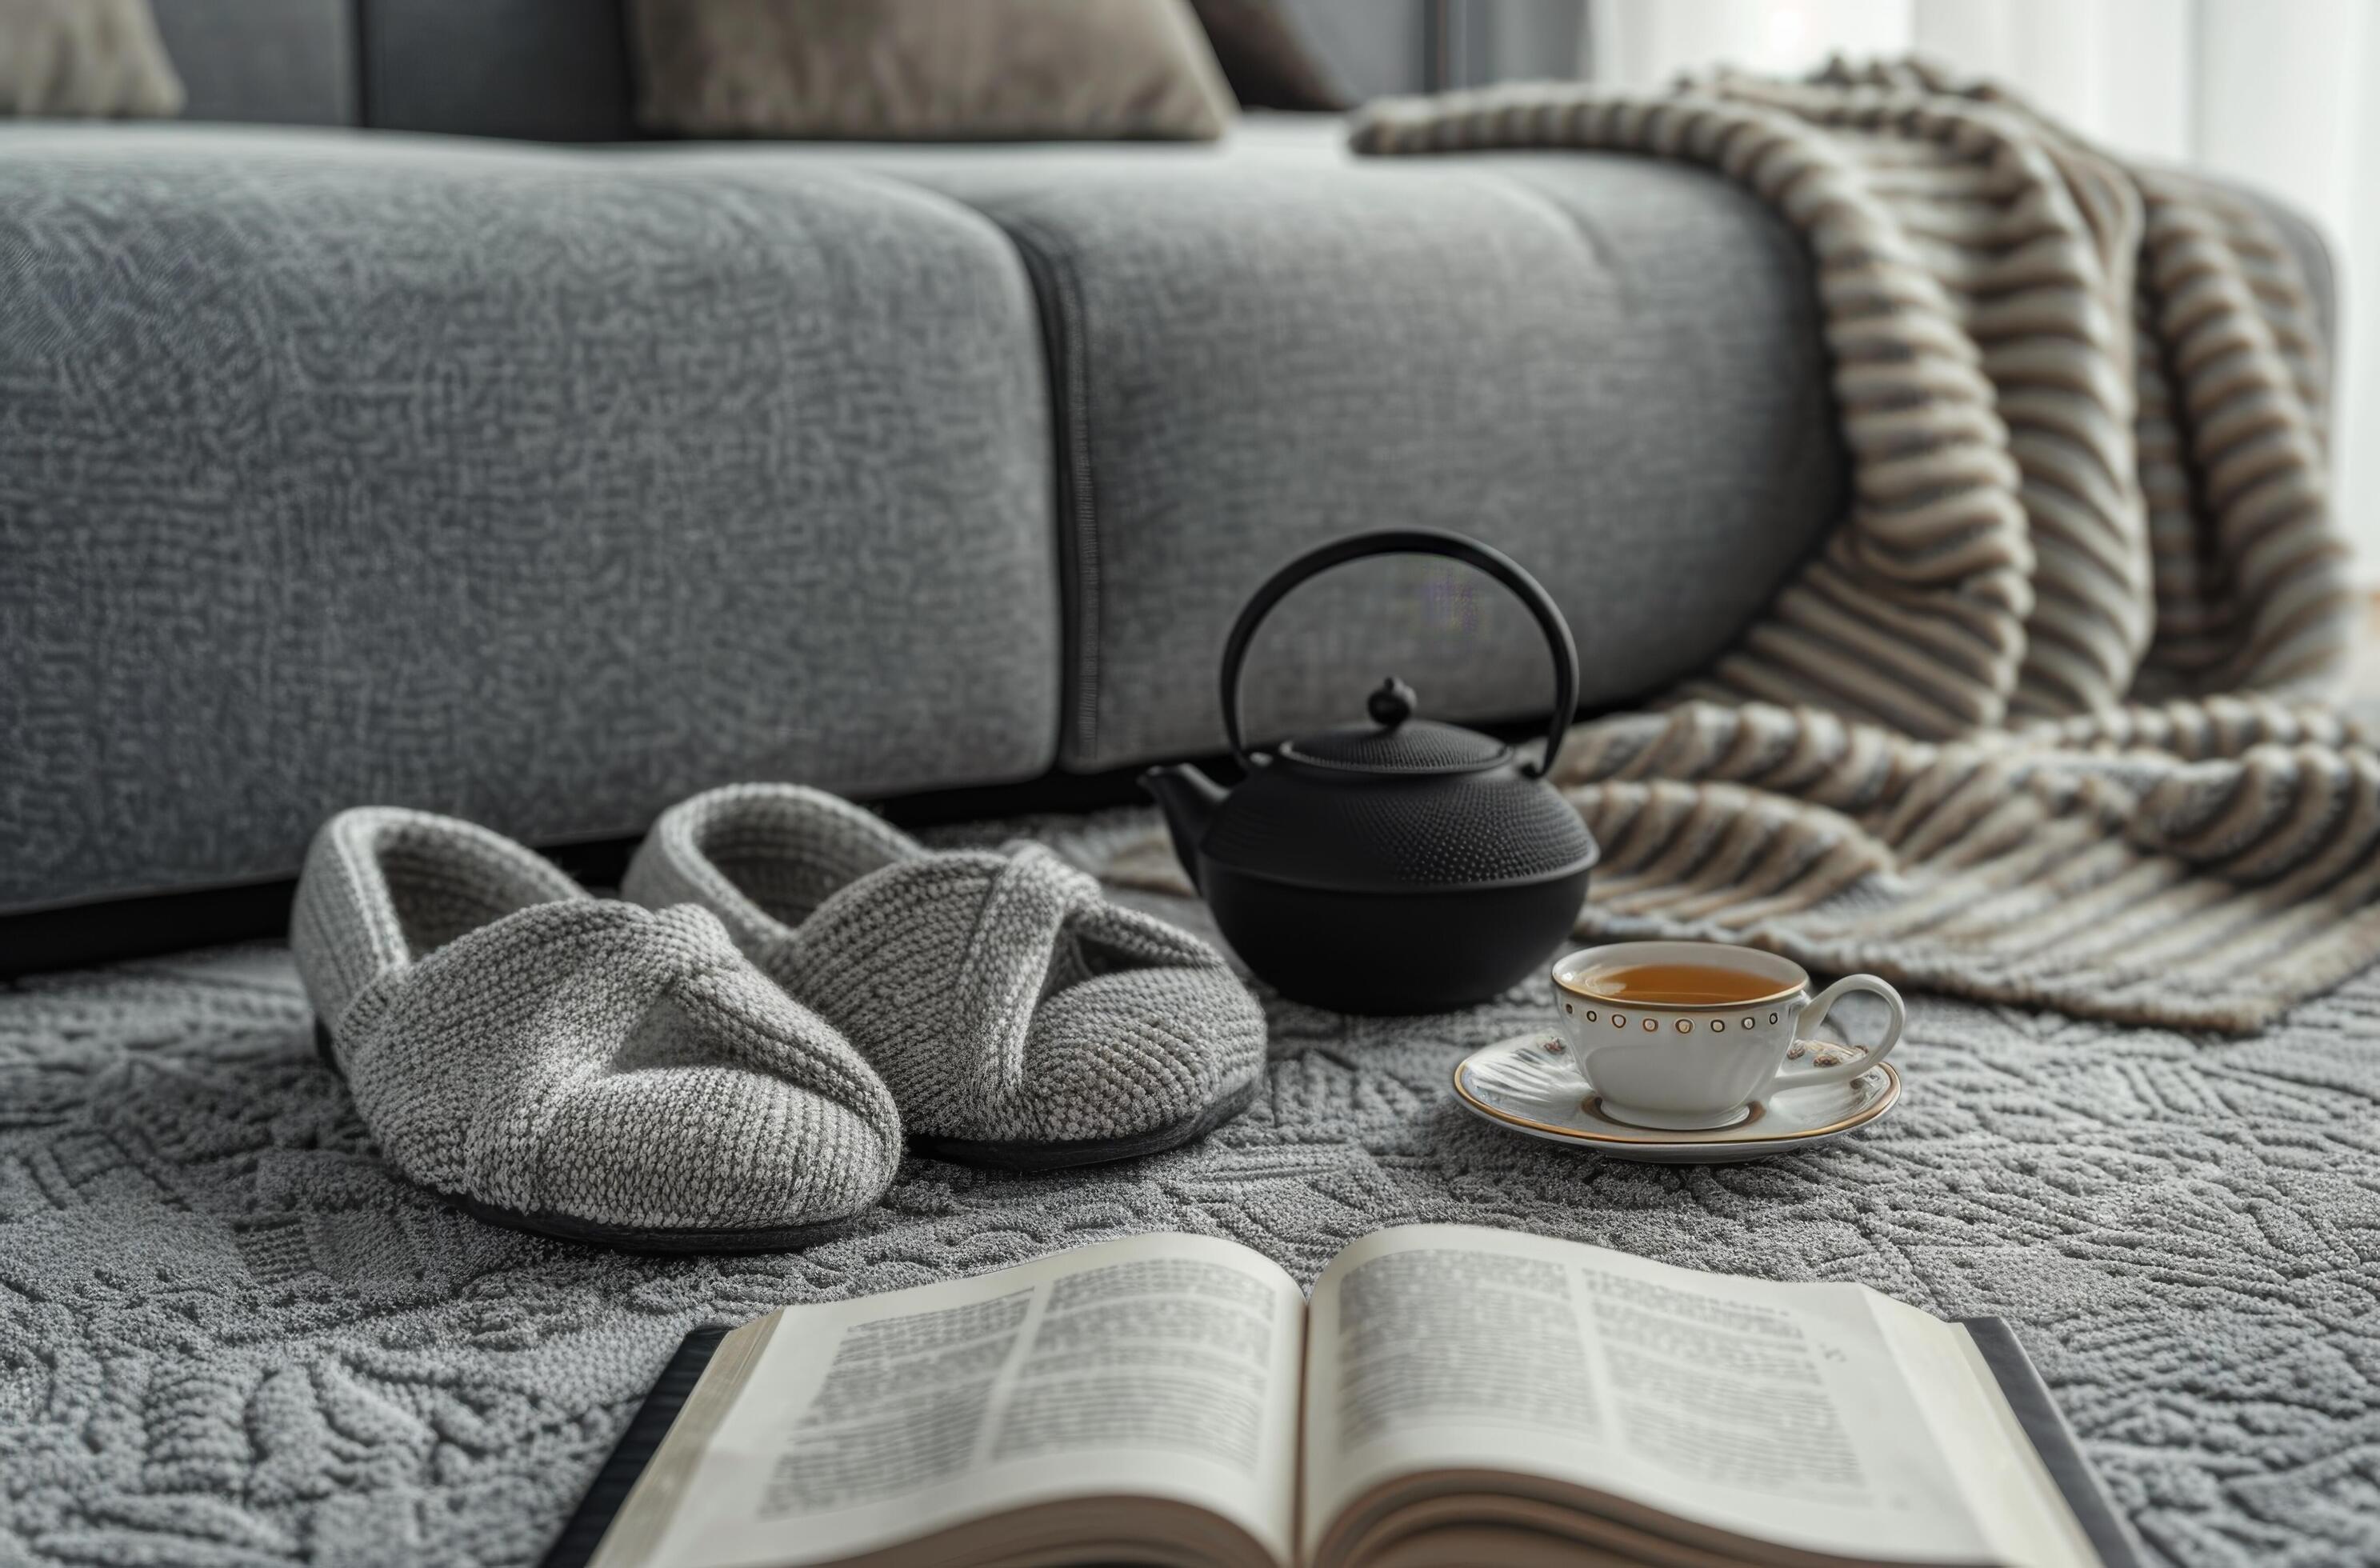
(734,1053)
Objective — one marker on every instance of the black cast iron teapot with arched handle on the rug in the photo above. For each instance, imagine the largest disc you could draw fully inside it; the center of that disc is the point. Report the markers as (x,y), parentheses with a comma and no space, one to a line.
(1391,867)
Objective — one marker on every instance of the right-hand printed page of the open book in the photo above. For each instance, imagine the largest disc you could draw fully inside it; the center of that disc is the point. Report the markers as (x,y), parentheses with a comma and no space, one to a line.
(1774,1412)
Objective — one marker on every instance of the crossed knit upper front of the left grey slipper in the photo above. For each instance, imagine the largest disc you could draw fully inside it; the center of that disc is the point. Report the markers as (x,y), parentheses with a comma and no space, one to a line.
(608,1055)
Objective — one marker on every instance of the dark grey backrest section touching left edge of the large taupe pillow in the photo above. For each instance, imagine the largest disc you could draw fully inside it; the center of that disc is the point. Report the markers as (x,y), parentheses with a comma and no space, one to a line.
(541,70)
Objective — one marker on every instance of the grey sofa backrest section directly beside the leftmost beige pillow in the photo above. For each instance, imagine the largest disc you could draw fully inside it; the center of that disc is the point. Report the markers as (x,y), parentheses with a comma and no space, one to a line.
(263,61)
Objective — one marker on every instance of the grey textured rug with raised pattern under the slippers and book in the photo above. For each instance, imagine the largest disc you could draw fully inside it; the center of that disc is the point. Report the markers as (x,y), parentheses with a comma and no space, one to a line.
(232,1336)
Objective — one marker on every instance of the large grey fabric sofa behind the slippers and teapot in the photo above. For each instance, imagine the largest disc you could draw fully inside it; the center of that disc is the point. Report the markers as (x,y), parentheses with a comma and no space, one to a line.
(549,484)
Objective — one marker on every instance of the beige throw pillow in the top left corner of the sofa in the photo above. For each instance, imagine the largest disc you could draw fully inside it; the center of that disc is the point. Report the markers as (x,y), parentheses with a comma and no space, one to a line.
(84,61)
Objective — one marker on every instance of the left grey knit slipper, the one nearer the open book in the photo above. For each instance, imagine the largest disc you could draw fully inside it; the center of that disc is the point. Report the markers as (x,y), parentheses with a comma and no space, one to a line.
(577,1067)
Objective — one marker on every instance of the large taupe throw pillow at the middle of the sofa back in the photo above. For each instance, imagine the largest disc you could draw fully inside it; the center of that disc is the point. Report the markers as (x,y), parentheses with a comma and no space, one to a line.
(939,70)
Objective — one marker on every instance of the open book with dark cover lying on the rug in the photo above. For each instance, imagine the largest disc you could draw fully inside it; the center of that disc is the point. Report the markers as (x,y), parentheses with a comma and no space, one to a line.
(1451,1395)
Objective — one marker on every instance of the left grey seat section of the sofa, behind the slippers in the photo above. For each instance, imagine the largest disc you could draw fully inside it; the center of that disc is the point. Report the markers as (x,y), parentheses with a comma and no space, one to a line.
(530,487)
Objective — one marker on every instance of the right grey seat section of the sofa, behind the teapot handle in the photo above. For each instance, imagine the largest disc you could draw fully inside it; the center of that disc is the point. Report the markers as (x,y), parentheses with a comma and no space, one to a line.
(1608,368)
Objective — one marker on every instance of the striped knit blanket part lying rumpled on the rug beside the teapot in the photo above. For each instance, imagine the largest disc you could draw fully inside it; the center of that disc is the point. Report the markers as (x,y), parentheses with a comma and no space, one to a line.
(2205,865)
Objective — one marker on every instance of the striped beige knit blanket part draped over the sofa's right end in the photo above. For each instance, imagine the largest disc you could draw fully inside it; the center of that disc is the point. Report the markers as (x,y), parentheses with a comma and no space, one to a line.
(2084,403)
